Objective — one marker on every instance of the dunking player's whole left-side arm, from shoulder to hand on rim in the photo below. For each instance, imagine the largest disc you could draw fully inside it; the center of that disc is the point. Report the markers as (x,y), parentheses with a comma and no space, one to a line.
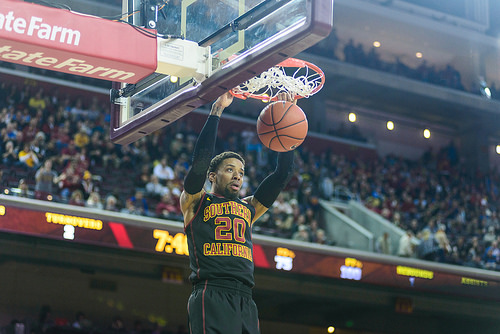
(203,152)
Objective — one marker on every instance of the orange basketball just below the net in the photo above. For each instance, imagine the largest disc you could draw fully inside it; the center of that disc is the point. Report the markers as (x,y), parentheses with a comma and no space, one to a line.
(282,126)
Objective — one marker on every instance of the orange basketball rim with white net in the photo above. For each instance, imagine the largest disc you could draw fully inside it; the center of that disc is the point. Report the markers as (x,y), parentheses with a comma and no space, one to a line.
(306,80)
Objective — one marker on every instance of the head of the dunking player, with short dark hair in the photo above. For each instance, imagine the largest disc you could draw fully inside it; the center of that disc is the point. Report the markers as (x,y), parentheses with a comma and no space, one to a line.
(226,173)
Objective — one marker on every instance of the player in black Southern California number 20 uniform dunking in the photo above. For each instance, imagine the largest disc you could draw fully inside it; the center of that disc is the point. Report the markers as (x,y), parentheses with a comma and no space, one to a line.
(218,226)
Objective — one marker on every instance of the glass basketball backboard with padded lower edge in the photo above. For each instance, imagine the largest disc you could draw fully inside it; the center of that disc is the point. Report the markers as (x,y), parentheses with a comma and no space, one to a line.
(243,38)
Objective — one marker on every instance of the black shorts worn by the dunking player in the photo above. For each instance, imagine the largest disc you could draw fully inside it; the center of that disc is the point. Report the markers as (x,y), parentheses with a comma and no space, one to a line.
(222,307)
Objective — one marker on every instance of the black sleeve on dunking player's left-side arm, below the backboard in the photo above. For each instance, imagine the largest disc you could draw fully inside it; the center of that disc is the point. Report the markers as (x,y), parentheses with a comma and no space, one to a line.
(203,152)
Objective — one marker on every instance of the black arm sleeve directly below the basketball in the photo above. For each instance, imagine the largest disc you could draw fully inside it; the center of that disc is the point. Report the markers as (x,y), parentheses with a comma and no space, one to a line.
(269,189)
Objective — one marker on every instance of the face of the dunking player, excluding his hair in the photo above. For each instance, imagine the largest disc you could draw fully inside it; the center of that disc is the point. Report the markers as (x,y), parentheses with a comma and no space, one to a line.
(228,179)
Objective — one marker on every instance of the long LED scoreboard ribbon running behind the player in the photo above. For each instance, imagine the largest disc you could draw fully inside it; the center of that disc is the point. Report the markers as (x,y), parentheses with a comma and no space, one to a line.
(71,224)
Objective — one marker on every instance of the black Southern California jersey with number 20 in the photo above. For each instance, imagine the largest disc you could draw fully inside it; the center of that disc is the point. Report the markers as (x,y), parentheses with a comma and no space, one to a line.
(220,240)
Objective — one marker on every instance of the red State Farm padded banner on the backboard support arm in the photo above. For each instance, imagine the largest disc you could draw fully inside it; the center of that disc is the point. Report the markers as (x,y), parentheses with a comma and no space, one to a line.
(74,43)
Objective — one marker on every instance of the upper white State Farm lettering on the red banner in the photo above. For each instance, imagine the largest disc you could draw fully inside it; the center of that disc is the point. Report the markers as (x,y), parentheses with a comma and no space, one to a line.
(35,26)
